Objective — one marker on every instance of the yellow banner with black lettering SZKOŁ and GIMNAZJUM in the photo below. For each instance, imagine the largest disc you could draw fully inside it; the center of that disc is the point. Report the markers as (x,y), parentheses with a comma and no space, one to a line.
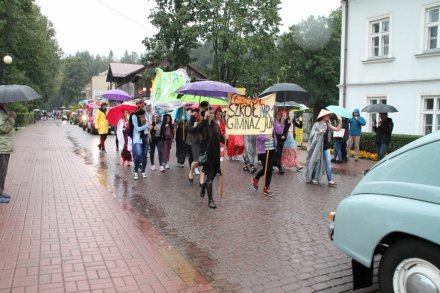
(250,116)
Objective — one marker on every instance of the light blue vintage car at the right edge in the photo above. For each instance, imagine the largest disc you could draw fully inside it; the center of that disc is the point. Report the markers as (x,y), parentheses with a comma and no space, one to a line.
(395,211)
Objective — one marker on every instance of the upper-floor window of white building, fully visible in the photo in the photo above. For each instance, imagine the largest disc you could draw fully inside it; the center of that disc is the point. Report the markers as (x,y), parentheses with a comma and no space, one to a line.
(380,38)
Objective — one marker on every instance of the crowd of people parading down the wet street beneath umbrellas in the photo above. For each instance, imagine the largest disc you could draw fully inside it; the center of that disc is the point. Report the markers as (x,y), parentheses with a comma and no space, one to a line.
(200,136)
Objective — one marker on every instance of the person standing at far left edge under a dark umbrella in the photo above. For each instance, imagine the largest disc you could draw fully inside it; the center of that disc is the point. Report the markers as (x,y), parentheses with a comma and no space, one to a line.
(7,122)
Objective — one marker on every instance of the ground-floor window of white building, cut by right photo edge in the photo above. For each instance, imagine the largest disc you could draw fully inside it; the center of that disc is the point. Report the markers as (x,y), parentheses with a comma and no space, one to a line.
(430,114)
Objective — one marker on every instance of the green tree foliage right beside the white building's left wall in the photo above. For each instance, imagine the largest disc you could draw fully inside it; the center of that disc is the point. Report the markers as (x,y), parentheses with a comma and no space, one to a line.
(309,55)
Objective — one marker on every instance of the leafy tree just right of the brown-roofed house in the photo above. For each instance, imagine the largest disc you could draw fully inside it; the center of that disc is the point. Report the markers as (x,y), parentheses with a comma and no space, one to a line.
(178,33)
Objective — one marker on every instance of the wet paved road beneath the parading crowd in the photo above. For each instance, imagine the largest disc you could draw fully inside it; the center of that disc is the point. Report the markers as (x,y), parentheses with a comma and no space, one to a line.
(250,243)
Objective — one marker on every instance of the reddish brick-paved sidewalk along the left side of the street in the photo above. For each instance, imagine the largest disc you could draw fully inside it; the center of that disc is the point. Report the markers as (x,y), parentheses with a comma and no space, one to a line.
(64,232)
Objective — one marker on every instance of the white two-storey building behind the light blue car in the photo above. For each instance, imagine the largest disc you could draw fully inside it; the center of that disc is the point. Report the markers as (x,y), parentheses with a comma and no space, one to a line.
(391,54)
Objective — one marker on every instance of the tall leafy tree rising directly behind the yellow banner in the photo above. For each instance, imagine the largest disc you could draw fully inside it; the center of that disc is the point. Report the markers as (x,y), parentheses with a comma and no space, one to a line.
(238,31)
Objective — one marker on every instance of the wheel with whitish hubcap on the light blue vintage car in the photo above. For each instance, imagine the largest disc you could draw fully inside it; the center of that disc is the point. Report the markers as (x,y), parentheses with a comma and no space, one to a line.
(408,261)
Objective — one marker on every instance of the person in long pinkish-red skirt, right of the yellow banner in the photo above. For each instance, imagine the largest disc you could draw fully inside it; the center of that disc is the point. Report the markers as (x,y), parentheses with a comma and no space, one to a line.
(289,157)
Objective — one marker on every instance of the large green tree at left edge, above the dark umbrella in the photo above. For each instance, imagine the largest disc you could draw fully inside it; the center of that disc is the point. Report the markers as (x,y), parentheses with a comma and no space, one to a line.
(29,38)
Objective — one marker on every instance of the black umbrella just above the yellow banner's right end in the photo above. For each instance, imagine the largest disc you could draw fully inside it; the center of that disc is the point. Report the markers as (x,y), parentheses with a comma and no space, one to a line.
(286,92)
